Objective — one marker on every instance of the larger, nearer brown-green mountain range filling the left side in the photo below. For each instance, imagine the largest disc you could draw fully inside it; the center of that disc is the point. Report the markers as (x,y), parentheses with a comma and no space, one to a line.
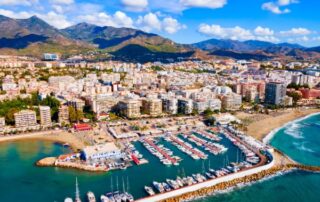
(33,37)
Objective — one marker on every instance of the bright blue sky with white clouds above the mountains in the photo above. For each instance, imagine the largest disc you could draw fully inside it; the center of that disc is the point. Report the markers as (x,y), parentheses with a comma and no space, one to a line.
(185,21)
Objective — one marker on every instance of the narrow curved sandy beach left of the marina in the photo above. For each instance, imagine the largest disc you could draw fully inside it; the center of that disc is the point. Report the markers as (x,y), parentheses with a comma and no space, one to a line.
(53,135)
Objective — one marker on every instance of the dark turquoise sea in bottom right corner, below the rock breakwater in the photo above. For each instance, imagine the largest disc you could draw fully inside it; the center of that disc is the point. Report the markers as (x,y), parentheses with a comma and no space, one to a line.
(293,187)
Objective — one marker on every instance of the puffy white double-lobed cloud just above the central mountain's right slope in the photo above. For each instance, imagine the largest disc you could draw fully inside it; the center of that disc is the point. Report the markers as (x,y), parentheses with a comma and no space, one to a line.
(151,21)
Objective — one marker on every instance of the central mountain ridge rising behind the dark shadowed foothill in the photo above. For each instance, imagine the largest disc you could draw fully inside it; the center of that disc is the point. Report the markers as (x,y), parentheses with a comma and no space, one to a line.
(113,39)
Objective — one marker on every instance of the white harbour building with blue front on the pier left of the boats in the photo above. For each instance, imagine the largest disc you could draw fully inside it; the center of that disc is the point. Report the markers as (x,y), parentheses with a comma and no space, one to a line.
(101,152)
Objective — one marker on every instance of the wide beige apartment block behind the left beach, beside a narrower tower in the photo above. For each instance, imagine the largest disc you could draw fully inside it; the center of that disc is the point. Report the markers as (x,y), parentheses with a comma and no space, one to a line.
(25,118)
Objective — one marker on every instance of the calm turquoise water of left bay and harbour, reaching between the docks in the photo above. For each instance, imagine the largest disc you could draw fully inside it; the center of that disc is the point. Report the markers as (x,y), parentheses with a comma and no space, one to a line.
(21,179)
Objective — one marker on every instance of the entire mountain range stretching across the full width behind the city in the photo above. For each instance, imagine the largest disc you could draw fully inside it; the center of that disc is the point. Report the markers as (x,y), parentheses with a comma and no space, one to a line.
(33,37)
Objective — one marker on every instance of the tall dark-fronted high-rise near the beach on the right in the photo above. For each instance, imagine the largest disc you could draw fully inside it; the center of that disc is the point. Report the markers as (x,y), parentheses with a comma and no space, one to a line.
(275,93)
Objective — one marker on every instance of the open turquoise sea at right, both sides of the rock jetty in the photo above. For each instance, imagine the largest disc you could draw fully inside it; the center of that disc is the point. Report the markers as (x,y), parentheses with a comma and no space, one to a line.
(301,141)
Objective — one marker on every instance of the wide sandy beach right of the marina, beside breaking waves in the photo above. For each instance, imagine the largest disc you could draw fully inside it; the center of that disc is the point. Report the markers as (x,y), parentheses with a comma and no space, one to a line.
(260,125)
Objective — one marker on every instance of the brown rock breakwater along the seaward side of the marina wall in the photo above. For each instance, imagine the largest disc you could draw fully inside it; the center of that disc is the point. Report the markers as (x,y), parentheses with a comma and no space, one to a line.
(241,181)
